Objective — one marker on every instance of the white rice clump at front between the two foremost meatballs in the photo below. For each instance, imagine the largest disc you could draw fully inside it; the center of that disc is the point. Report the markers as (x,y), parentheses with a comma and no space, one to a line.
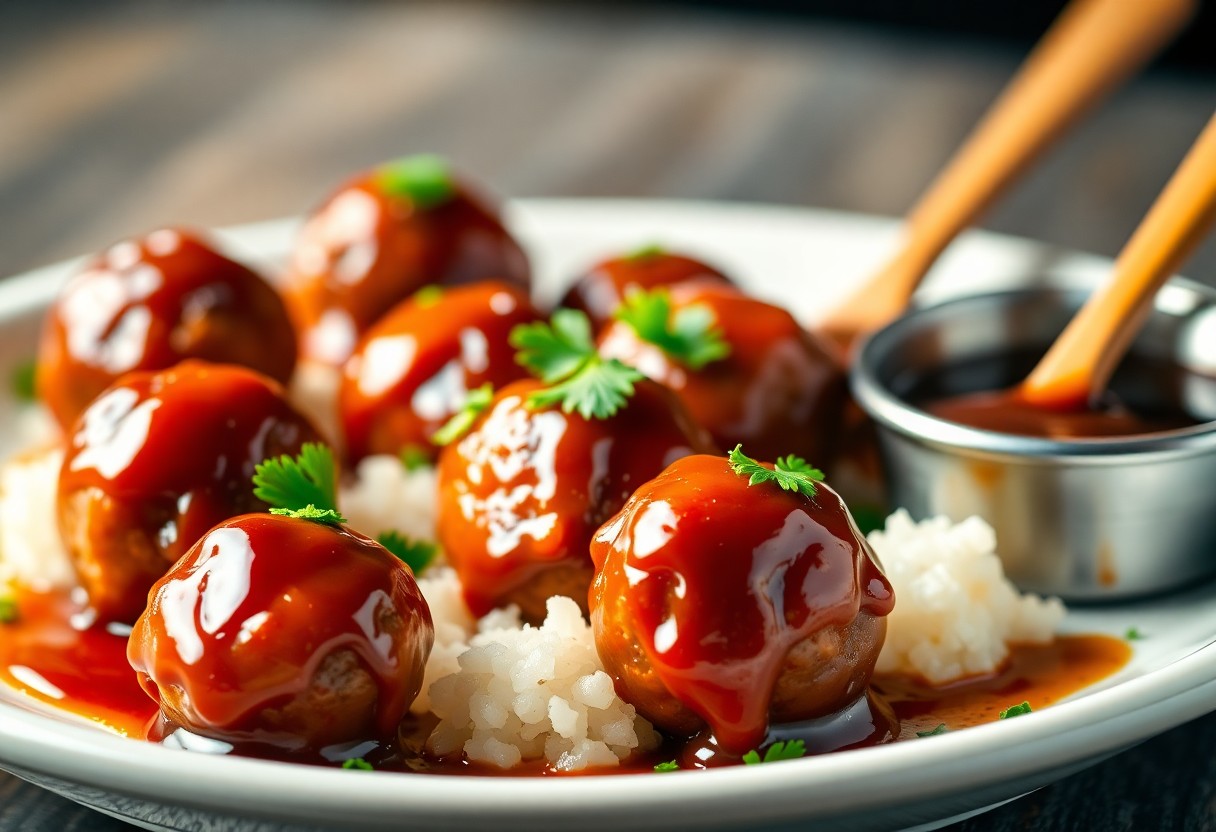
(517,694)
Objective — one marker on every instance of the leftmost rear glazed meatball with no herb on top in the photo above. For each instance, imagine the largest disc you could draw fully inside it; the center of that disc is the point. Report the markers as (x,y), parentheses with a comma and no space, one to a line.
(148,305)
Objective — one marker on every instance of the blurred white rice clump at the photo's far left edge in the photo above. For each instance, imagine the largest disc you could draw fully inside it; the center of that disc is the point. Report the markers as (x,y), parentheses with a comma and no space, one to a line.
(31,552)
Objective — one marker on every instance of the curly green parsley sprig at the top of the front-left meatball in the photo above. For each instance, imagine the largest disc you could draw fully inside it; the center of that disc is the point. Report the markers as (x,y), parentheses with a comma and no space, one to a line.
(302,487)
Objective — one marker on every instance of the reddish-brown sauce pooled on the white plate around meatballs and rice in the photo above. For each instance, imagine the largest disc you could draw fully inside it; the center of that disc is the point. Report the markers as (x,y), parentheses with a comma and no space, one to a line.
(85,672)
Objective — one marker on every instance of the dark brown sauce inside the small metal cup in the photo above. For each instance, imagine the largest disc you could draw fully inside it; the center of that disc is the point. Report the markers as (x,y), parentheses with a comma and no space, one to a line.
(1146,396)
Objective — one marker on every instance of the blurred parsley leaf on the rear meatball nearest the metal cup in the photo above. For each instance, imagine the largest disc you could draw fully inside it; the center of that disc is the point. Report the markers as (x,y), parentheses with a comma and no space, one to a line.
(690,336)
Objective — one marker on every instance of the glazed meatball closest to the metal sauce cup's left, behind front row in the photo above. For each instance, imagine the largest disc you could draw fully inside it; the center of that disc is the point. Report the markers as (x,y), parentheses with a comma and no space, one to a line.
(778,391)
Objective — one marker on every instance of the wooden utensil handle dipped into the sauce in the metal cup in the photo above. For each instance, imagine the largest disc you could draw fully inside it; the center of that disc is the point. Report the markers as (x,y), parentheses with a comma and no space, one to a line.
(1080,363)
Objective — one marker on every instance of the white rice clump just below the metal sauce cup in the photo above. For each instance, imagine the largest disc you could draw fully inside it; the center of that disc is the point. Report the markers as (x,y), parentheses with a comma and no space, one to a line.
(956,614)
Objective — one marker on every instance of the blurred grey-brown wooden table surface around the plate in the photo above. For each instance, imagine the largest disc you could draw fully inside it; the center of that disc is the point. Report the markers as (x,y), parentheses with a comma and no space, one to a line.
(117,117)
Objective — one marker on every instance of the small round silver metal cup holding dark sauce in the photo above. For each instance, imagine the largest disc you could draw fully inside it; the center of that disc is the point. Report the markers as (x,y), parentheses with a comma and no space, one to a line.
(1083,519)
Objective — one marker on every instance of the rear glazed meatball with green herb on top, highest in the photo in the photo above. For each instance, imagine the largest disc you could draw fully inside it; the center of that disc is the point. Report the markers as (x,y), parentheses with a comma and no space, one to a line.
(381,238)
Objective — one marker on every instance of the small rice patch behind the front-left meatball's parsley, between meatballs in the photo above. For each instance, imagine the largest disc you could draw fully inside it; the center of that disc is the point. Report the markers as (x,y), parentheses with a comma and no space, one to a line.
(386,497)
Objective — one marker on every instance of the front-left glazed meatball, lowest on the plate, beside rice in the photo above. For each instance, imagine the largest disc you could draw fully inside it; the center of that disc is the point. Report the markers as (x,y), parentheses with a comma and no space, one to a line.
(284,634)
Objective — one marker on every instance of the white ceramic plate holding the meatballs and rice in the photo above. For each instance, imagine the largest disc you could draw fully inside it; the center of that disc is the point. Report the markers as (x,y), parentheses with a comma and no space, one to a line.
(804,260)
